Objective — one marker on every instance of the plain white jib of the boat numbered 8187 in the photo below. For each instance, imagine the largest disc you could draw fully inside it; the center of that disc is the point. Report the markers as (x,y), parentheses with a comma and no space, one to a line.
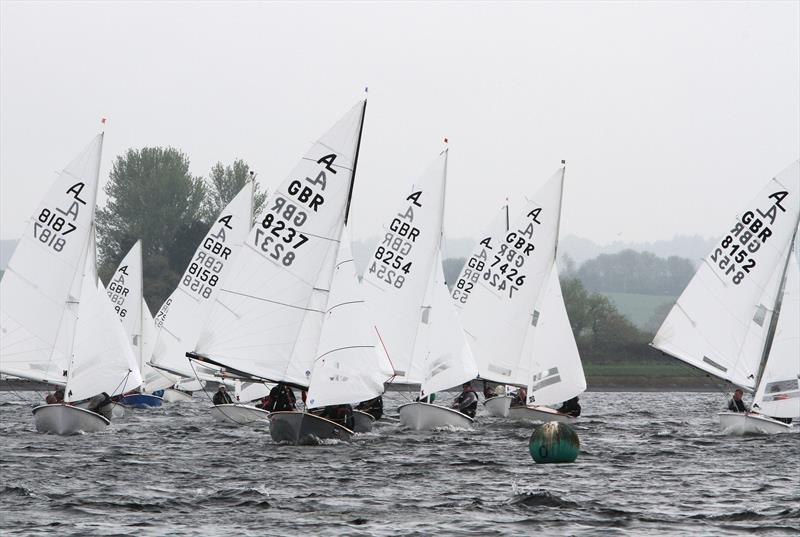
(103,357)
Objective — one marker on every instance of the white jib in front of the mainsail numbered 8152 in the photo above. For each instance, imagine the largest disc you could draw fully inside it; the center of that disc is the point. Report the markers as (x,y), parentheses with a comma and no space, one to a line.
(778,393)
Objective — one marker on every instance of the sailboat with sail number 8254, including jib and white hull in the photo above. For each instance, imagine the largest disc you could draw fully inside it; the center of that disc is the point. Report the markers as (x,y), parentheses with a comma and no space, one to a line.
(409,299)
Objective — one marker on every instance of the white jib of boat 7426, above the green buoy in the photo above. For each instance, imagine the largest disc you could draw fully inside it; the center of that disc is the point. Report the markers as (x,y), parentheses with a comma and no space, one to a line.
(556,368)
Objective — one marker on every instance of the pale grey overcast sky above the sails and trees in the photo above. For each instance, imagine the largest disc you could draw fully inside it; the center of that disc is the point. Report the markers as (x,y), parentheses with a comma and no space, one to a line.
(670,115)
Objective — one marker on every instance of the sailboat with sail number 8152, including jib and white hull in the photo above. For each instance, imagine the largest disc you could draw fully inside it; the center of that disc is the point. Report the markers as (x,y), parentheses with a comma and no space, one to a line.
(738,317)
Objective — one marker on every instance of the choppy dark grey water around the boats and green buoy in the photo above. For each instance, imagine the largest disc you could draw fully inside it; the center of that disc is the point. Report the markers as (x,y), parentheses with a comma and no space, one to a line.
(650,464)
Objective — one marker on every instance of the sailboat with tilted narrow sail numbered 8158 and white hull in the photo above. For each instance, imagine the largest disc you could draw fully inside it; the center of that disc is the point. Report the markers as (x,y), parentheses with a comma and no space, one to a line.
(180,319)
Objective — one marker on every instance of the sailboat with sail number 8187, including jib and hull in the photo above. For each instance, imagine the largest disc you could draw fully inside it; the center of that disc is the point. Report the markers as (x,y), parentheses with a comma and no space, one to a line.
(56,323)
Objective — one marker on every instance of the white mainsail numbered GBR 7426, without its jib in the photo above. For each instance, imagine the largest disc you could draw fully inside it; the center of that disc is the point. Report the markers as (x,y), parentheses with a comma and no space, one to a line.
(501,312)
